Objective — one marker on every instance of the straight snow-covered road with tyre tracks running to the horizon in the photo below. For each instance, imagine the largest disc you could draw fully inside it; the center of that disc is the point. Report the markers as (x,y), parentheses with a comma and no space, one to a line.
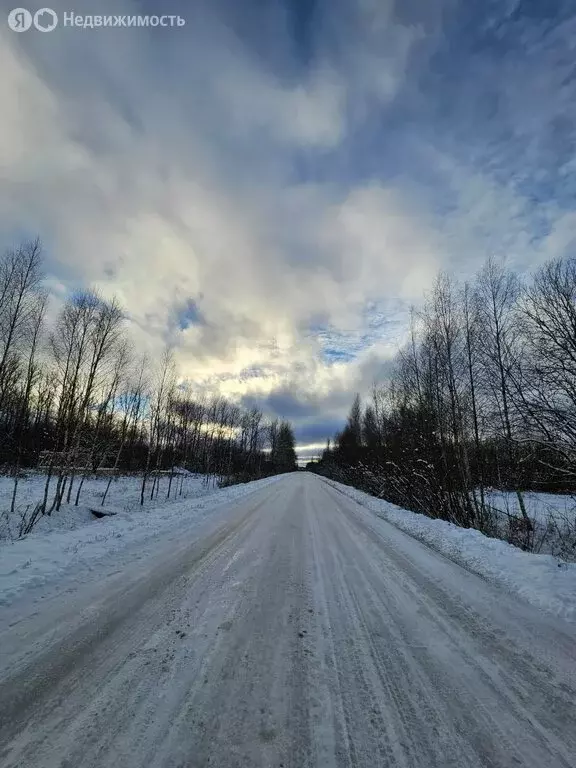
(298,629)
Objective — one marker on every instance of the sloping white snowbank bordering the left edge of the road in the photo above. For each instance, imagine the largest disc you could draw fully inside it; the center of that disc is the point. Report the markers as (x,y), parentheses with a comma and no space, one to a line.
(47,555)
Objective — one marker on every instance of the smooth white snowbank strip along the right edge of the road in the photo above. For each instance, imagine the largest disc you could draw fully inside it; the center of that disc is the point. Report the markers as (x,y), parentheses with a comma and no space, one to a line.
(540,579)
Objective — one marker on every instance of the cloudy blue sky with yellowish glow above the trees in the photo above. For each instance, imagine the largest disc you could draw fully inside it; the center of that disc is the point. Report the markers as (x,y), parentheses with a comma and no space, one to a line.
(272,185)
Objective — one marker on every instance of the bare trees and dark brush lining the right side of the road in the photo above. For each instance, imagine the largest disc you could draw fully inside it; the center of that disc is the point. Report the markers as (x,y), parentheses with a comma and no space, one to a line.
(482,396)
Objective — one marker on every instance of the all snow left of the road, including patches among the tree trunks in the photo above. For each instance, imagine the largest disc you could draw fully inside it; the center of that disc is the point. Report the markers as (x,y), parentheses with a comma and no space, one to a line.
(74,540)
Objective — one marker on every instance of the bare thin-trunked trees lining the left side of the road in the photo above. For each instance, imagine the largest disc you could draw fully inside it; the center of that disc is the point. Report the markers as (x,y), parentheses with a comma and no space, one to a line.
(75,397)
